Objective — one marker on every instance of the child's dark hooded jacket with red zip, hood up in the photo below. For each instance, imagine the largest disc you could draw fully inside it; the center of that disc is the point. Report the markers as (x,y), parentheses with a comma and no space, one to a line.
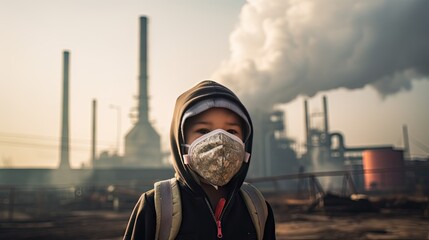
(197,216)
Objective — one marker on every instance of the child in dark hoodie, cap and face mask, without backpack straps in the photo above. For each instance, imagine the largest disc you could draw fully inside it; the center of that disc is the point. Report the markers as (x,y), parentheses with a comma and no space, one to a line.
(211,141)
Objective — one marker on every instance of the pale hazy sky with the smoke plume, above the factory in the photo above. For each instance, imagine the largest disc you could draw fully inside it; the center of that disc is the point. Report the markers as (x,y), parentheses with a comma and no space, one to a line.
(369,58)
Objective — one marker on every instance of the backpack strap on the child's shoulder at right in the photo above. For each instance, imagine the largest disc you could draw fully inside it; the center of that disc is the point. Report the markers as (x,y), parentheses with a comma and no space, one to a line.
(257,207)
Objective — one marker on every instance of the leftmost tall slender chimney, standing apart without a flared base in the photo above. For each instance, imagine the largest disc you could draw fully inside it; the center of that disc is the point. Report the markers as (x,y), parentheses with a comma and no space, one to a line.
(65,154)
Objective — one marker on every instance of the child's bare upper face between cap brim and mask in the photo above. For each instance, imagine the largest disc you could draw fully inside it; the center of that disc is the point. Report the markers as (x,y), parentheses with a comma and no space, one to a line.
(214,118)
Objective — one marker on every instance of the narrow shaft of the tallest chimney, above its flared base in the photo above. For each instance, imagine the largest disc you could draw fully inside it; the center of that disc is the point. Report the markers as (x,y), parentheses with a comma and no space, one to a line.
(143,105)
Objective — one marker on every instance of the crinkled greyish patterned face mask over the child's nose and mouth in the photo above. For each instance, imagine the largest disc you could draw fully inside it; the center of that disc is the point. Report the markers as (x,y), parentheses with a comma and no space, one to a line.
(216,156)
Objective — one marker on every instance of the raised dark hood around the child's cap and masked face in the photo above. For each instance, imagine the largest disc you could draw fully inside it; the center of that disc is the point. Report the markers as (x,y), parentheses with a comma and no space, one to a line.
(204,90)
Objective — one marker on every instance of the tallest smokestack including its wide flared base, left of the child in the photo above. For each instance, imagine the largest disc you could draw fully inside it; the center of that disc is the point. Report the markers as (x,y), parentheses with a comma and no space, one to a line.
(142,143)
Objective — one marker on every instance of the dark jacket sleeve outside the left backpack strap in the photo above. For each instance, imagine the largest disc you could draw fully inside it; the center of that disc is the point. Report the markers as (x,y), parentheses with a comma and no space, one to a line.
(142,222)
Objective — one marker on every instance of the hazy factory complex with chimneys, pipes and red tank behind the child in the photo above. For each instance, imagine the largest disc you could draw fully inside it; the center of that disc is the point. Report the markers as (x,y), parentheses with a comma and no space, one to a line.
(273,154)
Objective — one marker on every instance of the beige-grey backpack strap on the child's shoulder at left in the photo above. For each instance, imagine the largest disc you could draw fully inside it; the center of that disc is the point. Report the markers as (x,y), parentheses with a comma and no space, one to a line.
(168,209)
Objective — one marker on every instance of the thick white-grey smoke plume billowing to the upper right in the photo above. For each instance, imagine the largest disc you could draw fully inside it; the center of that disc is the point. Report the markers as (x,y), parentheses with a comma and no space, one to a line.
(285,48)
